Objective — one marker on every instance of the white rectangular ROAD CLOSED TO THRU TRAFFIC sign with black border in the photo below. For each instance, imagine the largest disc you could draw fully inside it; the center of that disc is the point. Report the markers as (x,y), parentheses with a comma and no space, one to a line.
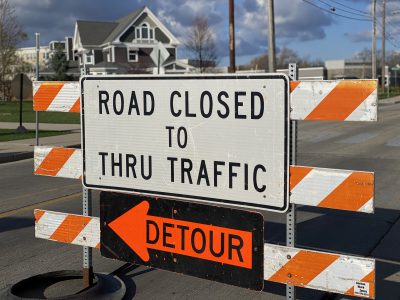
(215,139)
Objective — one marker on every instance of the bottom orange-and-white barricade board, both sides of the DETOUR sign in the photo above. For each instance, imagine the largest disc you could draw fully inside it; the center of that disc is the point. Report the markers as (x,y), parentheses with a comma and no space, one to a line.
(344,274)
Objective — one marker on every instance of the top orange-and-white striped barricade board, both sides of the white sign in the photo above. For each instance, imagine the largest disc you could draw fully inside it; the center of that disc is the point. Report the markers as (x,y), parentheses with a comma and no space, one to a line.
(350,100)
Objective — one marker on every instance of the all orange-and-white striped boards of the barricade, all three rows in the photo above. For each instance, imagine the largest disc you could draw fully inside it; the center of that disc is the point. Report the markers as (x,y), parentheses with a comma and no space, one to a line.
(354,100)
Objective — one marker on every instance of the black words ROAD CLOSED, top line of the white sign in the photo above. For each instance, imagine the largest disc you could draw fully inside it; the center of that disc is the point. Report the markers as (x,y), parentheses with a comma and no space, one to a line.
(223,104)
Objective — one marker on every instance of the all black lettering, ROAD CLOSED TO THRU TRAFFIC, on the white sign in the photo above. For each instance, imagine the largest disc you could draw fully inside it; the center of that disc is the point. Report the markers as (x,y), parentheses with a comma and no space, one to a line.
(184,170)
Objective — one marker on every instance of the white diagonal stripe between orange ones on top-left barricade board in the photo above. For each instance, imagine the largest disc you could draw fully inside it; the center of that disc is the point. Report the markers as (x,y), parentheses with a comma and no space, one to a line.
(66,98)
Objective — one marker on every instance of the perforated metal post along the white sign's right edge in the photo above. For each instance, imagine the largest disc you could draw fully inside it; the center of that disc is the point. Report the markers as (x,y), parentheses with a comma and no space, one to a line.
(291,214)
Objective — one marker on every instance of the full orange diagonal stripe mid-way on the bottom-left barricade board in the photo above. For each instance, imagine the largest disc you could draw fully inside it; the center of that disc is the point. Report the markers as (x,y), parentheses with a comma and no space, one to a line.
(70,228)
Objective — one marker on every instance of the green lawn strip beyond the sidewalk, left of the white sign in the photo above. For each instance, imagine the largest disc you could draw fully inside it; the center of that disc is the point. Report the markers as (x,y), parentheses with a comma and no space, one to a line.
(9,112)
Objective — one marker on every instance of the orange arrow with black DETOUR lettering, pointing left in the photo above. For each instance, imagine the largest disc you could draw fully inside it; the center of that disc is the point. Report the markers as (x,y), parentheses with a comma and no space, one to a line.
(141,232)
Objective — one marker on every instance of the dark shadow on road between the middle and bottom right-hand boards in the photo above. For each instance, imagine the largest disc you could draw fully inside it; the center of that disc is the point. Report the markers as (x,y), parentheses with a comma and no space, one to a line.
(336,231)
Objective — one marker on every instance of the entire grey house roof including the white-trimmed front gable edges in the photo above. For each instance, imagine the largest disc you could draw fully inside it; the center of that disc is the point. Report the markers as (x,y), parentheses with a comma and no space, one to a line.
(93,33)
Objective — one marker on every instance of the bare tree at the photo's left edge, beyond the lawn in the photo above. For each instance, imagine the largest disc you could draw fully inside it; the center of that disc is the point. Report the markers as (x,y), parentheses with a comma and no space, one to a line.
(11,34)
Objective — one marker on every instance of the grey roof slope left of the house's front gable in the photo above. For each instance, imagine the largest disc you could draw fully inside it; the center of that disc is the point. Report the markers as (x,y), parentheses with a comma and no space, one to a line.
(94,33)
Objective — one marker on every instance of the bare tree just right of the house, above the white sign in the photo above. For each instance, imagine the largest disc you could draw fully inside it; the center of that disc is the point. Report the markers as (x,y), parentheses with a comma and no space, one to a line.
(200,42)
